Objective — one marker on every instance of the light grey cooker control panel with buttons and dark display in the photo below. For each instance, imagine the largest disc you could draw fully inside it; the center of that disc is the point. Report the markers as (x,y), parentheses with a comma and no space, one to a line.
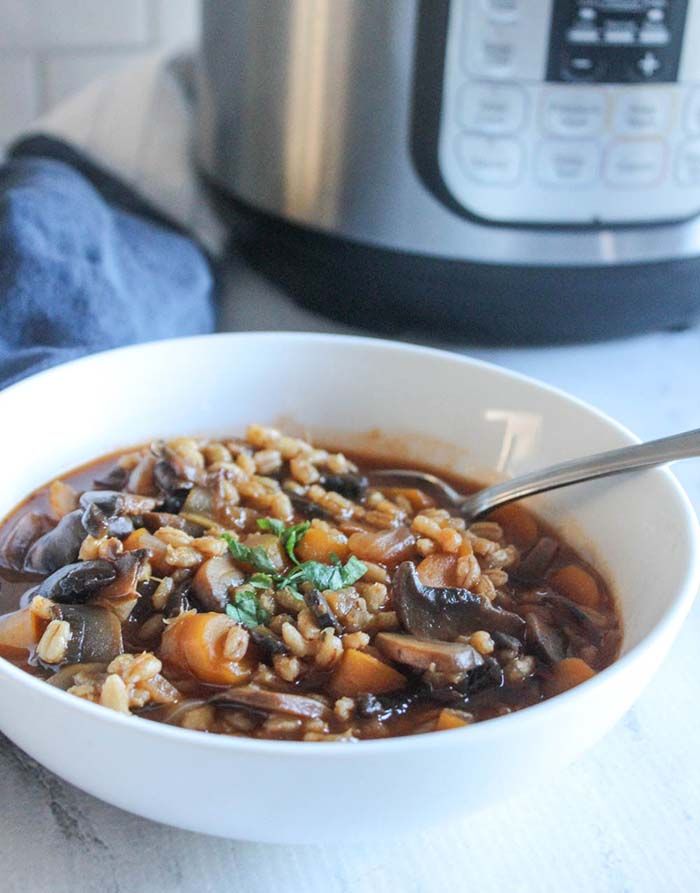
(572,112)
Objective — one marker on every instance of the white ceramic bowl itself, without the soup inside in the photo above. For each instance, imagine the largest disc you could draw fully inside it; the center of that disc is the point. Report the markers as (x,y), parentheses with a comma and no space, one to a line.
(640,530)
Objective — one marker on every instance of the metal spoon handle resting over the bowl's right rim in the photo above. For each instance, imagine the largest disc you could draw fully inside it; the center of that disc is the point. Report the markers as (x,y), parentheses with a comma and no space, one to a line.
(631,458)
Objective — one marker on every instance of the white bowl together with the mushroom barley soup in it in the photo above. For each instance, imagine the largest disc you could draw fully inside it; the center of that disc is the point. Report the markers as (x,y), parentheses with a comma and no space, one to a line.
(281,617)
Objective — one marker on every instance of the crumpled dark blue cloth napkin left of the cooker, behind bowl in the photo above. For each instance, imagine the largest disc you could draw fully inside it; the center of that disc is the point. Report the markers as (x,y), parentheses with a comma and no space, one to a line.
(86,265)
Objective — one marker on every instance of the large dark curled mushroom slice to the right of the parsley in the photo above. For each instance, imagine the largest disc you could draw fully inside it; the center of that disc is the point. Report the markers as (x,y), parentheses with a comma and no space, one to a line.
(432,612)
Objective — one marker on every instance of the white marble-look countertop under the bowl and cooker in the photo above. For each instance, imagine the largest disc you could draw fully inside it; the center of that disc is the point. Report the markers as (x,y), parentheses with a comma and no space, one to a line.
(626,817)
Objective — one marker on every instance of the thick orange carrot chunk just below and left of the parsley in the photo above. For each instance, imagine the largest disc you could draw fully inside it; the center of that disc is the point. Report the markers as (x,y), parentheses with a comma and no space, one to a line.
(195,643)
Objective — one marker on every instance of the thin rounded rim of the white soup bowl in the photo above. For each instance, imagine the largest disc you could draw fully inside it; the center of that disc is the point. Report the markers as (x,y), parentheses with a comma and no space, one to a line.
(482,731)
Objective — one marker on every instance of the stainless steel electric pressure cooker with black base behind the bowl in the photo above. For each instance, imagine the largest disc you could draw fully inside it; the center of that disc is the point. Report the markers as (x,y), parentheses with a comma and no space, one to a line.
(464,143)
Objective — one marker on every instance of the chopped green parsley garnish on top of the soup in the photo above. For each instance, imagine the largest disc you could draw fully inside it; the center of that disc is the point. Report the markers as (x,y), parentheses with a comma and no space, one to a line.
(320,576)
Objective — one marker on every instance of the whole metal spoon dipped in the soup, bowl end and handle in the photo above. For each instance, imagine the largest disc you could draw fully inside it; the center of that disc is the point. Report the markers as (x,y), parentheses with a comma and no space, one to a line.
(632,458)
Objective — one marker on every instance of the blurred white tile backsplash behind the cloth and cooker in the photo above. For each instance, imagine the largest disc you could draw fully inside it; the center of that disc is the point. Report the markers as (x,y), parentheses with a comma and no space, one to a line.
(51,48)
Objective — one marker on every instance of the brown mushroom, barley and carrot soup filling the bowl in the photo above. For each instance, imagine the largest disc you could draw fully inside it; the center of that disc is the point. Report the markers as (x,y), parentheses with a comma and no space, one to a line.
(264,587)
